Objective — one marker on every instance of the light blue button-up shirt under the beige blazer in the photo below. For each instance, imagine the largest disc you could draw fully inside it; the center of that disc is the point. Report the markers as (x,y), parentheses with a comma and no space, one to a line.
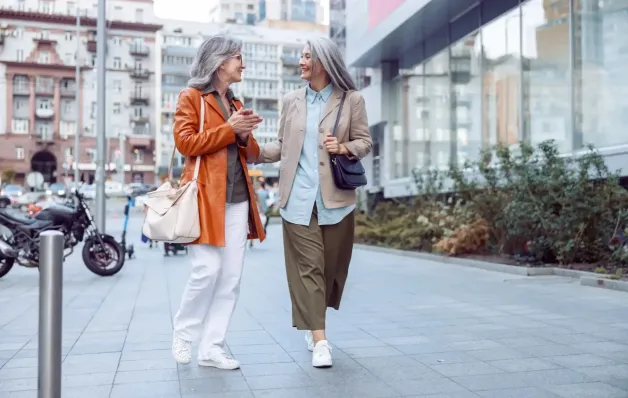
(306,188)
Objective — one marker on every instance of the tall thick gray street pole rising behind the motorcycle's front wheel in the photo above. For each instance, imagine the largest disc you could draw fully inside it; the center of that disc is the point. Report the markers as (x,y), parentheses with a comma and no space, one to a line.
(101,139)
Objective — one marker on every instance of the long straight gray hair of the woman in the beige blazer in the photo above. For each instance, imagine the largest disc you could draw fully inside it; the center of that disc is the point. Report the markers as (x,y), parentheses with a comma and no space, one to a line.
(325,51)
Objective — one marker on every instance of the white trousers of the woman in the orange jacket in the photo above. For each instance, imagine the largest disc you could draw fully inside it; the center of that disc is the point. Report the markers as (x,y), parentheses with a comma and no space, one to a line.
(212,291)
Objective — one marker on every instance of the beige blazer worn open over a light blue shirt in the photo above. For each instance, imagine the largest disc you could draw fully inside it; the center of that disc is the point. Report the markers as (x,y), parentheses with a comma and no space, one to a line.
(353,131)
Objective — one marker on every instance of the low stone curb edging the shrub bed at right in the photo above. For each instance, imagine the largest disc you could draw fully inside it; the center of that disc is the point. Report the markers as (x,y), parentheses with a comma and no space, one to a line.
(586,278)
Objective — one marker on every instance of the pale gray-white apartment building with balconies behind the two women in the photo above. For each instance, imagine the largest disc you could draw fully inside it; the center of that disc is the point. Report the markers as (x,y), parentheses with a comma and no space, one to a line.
(272,69)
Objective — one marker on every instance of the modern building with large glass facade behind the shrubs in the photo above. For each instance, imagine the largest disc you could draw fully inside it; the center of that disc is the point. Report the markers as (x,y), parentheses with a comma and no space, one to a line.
(498,72)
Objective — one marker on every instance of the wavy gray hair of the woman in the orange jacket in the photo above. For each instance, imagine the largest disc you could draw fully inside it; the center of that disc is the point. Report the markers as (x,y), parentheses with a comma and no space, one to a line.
(212,53)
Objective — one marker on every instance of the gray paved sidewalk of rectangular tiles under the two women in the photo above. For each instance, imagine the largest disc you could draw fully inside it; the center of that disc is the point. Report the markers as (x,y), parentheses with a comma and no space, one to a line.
(407,327)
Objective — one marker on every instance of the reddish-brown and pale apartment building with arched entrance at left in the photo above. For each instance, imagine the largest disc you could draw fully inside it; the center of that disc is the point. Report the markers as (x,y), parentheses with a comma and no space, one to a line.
(44,106)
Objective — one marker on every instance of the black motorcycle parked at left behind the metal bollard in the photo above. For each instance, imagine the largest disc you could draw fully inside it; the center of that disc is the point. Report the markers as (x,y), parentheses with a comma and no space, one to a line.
(76,223)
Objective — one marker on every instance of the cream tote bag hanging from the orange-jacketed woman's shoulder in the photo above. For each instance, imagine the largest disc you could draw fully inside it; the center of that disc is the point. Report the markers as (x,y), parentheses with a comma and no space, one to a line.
(172,213)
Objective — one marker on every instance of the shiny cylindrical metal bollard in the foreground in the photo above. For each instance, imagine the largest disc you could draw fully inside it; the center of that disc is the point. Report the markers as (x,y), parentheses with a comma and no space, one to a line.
(50,307)
